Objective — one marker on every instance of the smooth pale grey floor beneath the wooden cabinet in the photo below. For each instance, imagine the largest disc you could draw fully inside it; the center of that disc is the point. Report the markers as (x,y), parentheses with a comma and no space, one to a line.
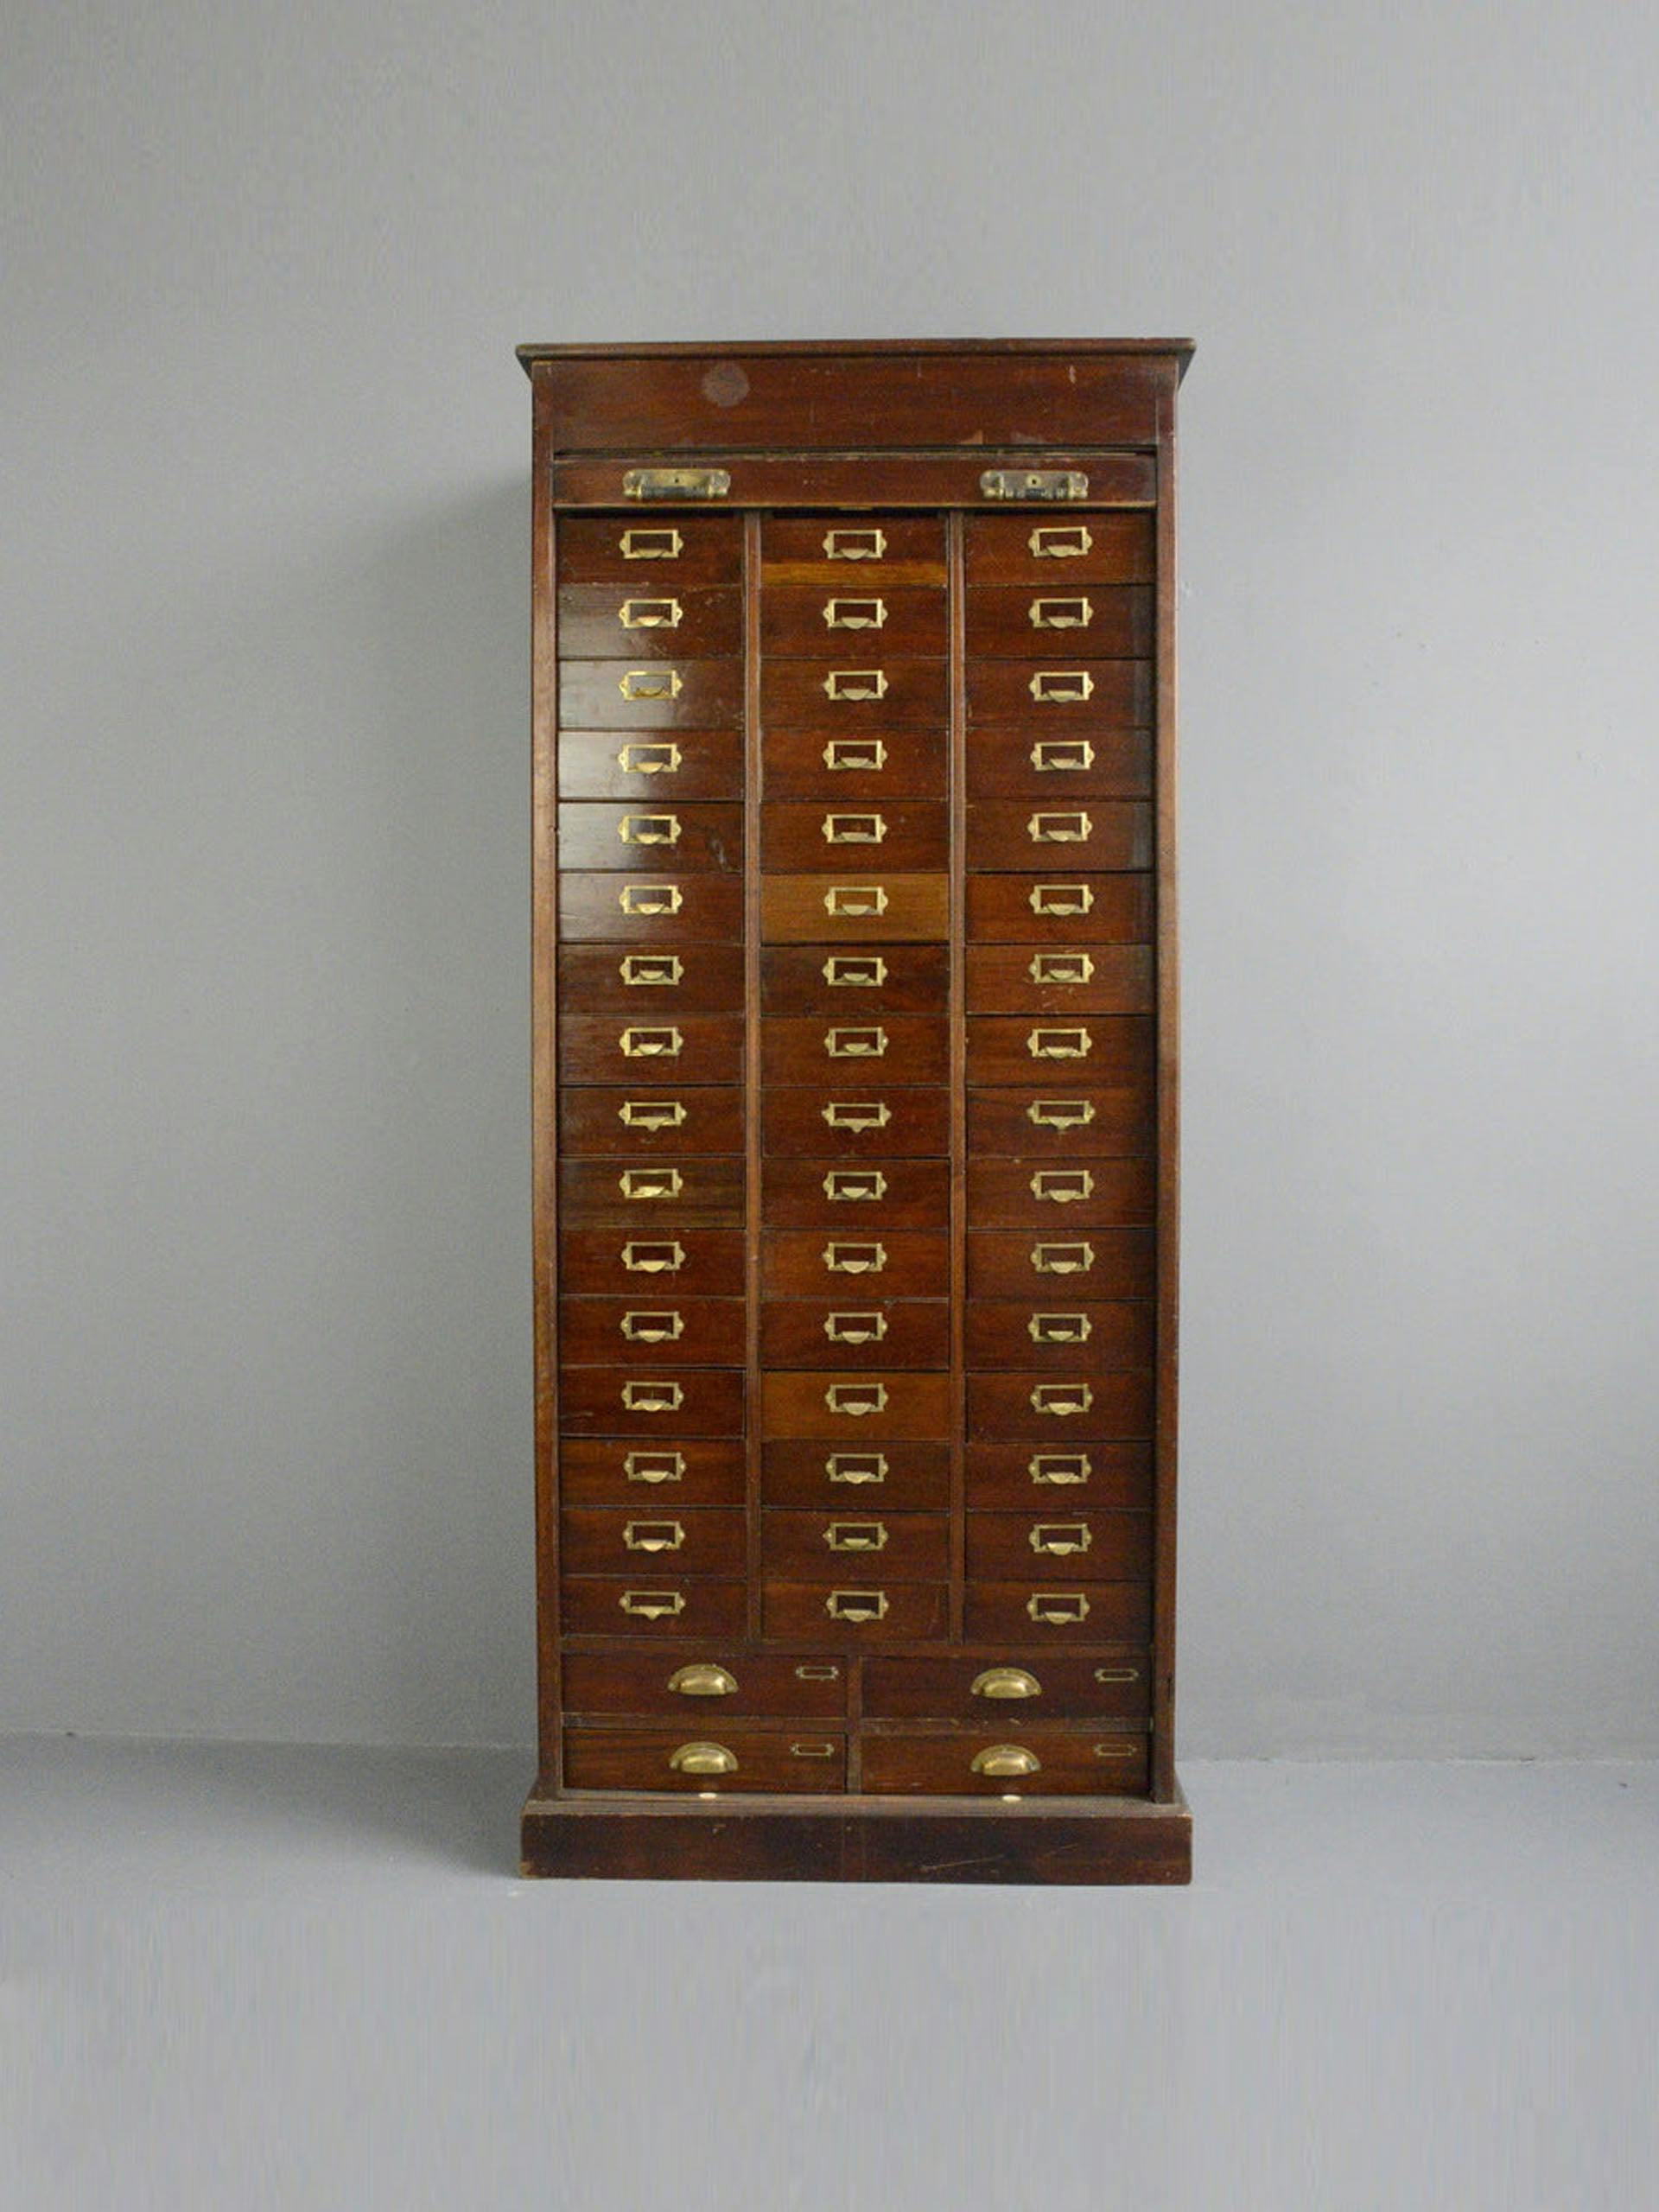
(304,1979)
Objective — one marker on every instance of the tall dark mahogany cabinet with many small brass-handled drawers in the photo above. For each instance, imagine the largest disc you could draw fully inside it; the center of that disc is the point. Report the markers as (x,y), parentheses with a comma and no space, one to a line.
(855,1112)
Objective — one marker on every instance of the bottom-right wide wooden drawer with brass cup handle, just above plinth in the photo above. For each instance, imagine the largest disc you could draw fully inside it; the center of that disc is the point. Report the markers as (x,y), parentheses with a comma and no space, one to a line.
(1025,1762)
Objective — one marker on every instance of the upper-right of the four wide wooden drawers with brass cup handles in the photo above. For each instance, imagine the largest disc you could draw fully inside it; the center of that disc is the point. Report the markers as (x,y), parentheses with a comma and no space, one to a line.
(1005,1693)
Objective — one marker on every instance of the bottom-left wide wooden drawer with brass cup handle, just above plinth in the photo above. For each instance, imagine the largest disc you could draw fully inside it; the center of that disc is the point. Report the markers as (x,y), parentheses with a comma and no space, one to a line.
(687,1762)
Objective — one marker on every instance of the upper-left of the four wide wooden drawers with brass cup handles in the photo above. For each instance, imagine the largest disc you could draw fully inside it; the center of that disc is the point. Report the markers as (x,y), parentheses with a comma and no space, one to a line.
(705,1684)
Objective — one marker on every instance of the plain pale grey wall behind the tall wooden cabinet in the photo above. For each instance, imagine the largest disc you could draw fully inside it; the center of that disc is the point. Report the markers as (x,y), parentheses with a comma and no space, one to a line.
(264,1346)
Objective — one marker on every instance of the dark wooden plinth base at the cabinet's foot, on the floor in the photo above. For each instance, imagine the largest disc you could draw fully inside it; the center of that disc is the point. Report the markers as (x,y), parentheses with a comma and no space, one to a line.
(873,1841)
